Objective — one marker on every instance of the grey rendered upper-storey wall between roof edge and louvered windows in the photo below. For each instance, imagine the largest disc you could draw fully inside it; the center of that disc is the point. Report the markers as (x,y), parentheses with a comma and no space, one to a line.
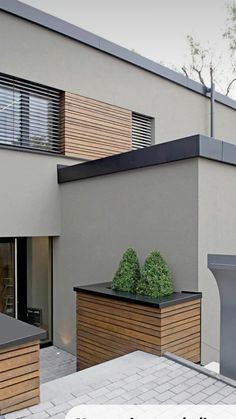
(38,54)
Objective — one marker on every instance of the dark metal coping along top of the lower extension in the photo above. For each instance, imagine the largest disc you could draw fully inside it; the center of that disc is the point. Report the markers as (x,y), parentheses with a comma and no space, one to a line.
(172,151)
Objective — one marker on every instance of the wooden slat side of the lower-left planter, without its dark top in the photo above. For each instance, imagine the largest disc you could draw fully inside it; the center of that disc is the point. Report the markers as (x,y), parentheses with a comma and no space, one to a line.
(19,377)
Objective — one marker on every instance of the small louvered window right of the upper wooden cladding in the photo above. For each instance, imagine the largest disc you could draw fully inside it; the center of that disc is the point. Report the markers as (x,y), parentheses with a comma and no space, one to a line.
(142,131)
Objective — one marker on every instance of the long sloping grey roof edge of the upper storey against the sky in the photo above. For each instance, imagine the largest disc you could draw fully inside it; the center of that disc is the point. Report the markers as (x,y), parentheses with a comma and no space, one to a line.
(58,25)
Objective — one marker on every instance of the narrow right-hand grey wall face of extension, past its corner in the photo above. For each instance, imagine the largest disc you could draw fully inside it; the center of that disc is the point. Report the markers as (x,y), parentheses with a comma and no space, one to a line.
(217,234)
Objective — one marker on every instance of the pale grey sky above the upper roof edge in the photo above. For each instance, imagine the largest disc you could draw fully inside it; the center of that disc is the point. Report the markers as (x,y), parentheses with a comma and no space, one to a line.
(155,28)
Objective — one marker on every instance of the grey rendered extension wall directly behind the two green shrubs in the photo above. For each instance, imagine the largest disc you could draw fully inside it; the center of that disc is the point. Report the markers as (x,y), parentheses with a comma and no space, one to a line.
(147,208)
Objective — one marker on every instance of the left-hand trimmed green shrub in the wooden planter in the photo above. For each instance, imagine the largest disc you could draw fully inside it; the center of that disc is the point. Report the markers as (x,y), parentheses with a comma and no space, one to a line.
(128,272)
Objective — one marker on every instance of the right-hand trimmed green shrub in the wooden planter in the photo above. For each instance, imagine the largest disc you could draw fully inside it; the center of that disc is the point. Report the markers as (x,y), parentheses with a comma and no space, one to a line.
(155,280)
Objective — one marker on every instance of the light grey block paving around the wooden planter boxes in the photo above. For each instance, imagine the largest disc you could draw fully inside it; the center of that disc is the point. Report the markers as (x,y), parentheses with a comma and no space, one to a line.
(137,378)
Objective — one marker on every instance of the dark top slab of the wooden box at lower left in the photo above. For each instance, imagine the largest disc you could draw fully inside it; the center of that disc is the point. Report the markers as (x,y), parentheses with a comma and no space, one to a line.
(15,332)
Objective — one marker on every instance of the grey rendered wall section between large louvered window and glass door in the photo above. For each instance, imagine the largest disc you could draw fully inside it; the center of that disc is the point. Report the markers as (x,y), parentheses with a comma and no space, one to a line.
(29,203)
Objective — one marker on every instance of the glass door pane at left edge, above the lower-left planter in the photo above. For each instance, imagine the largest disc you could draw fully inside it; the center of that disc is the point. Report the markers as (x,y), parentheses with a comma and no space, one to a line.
(7,277)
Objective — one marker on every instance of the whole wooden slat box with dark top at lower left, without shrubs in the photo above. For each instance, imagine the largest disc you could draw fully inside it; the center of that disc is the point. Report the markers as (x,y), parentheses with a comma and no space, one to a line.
(19,364)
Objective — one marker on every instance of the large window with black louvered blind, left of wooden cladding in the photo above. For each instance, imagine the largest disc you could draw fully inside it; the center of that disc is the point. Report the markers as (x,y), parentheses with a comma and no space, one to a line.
(29,114)
